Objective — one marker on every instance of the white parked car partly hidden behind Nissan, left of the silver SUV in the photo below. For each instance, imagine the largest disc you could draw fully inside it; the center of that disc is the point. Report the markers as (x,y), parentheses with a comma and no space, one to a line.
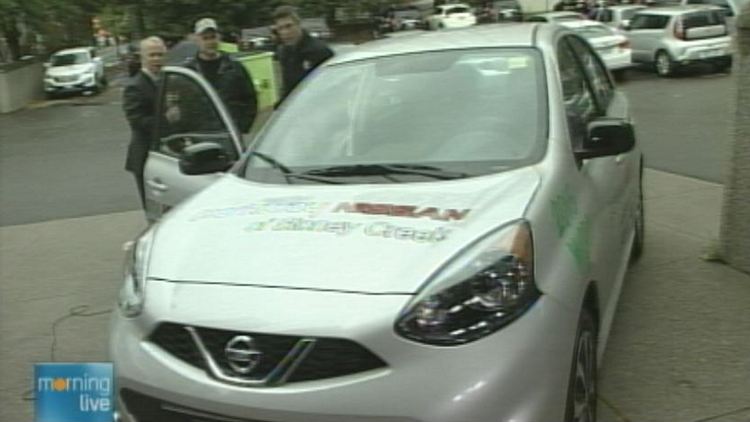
(613,48)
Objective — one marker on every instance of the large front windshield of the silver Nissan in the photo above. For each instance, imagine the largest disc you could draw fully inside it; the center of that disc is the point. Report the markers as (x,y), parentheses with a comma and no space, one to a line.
(474,111)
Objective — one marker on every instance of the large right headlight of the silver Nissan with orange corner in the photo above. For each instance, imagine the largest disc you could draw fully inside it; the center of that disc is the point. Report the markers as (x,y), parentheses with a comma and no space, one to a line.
(483,289)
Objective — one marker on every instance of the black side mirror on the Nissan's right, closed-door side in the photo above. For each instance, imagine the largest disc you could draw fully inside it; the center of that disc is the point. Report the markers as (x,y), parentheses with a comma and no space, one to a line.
(607,137)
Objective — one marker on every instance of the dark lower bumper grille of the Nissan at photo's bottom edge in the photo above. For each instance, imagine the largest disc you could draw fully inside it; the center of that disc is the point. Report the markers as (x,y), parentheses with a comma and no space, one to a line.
(149,409)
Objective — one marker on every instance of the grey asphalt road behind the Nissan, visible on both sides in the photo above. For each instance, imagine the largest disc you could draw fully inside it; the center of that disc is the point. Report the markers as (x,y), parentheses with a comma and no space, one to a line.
(67,160)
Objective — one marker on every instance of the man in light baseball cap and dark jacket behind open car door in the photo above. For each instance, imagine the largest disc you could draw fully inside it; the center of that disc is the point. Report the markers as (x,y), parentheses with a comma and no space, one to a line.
(230,79)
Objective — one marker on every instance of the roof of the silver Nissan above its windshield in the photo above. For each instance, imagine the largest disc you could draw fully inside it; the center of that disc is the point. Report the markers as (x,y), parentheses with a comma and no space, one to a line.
(482,36)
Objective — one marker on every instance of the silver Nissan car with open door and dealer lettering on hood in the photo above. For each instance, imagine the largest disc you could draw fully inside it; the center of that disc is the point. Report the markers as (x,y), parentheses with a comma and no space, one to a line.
(433,228)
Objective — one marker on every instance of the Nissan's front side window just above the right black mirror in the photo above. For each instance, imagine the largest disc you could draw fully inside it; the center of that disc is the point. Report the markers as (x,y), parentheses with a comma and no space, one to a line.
(580,106)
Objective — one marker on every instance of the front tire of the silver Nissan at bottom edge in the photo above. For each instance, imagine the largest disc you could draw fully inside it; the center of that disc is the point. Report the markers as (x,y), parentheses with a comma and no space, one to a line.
(582,386)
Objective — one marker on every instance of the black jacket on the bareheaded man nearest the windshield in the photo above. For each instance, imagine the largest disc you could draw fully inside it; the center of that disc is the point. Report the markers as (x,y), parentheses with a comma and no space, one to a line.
(299,60)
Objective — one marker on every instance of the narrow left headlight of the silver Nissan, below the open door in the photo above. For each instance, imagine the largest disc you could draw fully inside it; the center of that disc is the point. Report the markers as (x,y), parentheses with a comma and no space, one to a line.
(133,292)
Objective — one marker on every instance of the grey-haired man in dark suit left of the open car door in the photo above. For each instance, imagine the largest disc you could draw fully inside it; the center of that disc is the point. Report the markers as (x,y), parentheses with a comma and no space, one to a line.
(139,103)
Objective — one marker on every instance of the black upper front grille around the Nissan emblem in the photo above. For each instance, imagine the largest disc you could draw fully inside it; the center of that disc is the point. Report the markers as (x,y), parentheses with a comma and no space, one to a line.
(329,358)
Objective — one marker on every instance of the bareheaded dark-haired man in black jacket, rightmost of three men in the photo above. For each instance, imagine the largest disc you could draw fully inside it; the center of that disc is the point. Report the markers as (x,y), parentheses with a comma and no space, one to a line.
(299,53)
